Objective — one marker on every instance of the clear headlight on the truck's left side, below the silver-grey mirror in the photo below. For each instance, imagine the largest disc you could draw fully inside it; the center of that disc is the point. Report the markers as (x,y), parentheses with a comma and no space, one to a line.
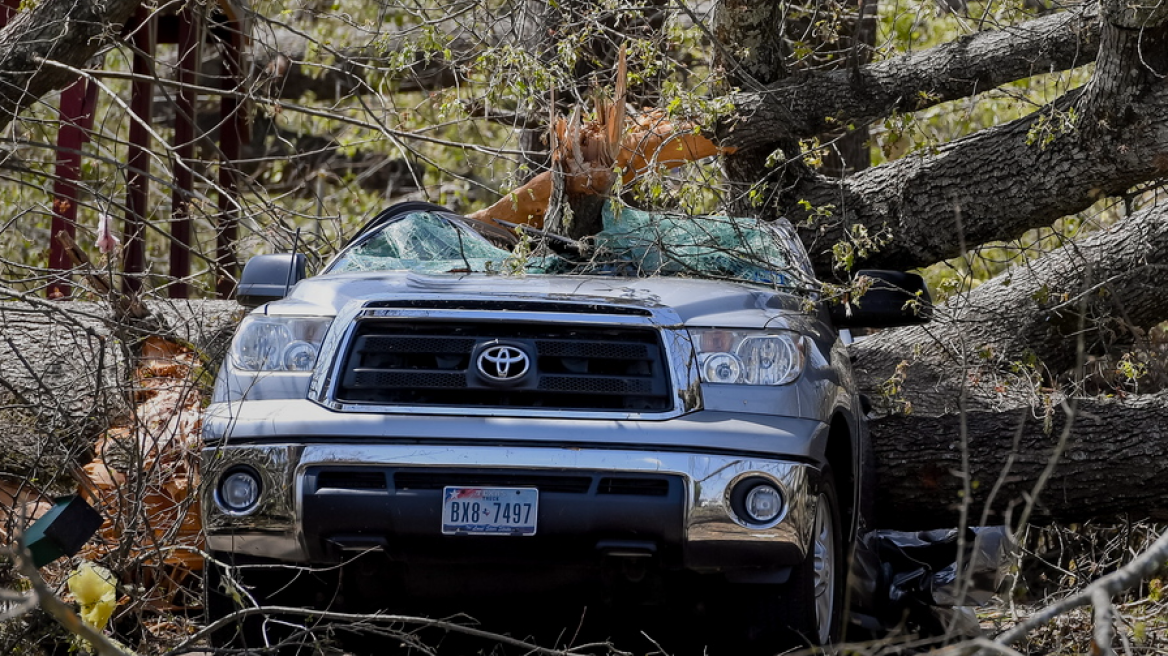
(279,344)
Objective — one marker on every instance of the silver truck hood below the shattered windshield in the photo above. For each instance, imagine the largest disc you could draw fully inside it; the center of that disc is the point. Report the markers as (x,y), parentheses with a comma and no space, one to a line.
(697,303)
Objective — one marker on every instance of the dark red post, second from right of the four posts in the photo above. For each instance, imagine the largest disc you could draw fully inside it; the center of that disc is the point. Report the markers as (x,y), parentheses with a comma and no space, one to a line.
(191,37)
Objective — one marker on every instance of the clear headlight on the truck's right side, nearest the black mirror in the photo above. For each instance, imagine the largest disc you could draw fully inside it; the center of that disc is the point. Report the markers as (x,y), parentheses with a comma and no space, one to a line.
(748,358)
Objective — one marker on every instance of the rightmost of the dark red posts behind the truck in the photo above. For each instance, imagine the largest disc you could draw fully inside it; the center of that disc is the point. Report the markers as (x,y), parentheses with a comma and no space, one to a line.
(232,132)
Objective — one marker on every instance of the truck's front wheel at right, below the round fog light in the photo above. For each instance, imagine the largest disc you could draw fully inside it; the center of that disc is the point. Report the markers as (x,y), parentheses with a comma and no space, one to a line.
(814,598)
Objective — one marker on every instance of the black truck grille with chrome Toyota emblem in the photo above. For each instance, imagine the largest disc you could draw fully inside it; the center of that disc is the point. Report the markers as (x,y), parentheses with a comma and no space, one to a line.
(496,365)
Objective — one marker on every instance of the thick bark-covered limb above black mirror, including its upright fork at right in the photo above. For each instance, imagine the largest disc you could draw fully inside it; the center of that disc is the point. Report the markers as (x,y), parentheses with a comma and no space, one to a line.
(1003,182)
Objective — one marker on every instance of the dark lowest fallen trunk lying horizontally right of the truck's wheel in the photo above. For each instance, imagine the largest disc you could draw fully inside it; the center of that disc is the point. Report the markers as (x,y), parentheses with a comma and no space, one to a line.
(1110,464)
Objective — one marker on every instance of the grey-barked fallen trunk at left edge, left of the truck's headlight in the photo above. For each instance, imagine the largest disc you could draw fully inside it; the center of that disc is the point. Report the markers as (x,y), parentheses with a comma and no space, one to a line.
(66,372)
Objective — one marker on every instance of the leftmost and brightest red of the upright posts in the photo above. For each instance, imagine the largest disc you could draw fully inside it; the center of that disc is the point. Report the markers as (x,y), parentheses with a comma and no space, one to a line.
(71,137)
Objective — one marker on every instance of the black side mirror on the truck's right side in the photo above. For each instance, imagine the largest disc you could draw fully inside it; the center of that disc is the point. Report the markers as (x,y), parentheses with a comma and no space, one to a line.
(894,299)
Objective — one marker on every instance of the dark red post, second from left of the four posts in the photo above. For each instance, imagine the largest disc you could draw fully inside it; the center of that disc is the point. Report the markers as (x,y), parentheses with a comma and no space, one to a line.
(142,101)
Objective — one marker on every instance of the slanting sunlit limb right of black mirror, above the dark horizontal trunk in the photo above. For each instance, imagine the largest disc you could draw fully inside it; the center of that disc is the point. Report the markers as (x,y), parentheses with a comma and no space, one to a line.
(1106,290)
